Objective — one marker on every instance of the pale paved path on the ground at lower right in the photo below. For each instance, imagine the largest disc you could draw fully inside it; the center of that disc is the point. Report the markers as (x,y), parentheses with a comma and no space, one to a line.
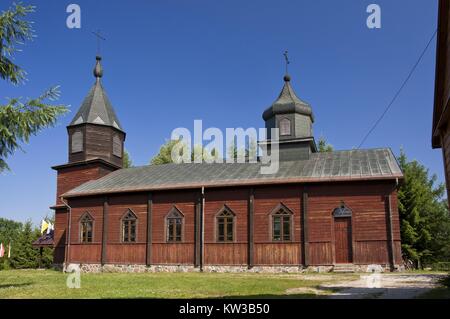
(385,286)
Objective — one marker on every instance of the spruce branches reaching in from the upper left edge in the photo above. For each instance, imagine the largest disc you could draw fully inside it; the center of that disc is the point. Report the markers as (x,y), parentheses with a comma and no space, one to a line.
(19,120)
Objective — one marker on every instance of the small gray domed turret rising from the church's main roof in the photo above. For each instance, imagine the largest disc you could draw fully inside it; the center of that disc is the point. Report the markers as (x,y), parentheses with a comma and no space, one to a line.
(294,118)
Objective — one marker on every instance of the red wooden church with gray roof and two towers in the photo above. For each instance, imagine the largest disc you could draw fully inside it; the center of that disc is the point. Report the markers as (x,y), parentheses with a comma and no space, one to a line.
(320,211)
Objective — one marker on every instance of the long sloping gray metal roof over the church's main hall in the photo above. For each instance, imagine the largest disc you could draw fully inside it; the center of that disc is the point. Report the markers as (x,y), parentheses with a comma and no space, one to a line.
(332,166)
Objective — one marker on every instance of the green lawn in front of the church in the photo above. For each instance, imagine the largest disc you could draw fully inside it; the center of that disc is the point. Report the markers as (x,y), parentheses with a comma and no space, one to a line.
(52,284)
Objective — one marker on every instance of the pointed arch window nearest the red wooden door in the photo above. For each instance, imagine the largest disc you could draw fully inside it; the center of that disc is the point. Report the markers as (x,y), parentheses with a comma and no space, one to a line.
(282,223)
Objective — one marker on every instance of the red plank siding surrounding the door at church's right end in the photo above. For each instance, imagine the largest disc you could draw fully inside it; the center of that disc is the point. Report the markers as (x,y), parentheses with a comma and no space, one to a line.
(370,241)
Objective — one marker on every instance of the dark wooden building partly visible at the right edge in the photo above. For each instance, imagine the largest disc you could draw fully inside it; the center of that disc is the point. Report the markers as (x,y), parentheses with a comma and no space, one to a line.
(441,113)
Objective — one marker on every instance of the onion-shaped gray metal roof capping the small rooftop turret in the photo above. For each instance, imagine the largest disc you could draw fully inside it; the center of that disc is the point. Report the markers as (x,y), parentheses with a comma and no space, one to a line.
(288,102)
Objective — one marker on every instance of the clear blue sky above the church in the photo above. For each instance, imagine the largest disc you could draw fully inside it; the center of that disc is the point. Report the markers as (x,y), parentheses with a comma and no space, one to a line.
(169,62)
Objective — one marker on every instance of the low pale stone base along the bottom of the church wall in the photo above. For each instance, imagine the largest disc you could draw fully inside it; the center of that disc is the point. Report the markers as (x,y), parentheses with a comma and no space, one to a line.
(136,268)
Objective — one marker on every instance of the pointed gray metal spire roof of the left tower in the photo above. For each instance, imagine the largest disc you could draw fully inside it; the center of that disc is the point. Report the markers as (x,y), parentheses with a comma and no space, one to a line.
(96,107)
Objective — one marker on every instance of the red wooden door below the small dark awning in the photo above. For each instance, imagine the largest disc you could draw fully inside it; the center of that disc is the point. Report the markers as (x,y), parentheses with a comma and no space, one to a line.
(343,240)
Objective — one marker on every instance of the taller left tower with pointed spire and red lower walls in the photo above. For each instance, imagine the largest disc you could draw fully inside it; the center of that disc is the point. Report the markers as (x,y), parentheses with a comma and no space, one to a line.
(96,141)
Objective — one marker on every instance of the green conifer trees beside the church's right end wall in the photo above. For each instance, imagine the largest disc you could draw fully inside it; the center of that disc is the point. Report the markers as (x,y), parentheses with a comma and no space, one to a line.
(424,215)
